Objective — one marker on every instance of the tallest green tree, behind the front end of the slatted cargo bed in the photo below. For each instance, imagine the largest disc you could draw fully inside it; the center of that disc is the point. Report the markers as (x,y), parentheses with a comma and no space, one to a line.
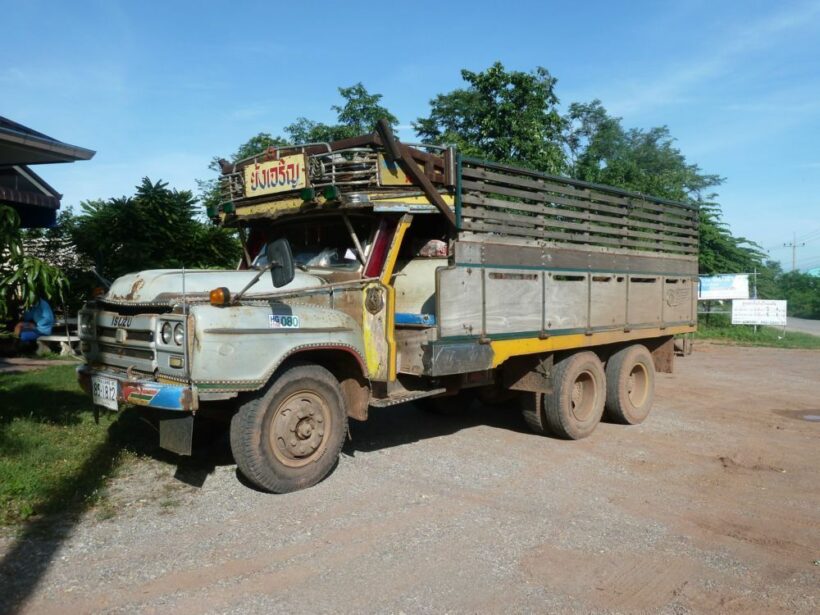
(504,116)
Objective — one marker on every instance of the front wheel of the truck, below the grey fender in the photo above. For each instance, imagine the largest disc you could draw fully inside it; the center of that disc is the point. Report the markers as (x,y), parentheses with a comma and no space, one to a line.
(290,435)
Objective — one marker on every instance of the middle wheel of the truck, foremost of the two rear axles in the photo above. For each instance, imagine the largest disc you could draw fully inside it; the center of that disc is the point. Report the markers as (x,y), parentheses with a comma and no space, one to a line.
(574,407)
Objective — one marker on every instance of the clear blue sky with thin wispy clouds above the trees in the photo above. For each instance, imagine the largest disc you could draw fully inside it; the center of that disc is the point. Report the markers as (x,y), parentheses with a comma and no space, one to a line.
(158,88)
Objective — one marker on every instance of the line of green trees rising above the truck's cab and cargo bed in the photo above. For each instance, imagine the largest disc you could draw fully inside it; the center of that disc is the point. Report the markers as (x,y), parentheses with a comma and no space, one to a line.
(512,117)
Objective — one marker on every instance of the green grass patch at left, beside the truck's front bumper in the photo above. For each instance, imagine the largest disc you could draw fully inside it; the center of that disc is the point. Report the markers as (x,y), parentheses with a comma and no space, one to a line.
(53,456)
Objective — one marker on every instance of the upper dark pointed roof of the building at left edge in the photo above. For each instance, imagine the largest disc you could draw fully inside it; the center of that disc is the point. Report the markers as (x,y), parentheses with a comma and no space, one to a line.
(22,145)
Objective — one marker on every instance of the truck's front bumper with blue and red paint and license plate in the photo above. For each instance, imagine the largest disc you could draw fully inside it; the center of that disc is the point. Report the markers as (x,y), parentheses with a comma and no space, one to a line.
(150,393)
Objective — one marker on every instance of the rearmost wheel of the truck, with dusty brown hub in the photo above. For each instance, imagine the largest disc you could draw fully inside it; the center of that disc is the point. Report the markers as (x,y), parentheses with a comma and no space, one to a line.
(630,385)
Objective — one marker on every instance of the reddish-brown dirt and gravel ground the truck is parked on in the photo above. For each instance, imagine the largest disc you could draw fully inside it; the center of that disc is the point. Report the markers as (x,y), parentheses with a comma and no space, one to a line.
(712,505)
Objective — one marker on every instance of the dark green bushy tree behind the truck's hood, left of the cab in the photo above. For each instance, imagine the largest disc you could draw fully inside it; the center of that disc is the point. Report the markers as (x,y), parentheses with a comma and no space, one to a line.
(154,229)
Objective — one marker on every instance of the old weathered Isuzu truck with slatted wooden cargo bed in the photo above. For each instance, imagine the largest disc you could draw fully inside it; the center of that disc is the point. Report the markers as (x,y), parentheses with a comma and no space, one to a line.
(376,273)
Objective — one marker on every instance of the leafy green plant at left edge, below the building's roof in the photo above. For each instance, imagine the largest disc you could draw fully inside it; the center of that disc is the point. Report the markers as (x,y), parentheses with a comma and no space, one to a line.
(23,278)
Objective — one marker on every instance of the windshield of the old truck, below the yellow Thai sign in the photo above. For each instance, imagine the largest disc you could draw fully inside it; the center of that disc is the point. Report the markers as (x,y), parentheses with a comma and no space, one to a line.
(319,243)
